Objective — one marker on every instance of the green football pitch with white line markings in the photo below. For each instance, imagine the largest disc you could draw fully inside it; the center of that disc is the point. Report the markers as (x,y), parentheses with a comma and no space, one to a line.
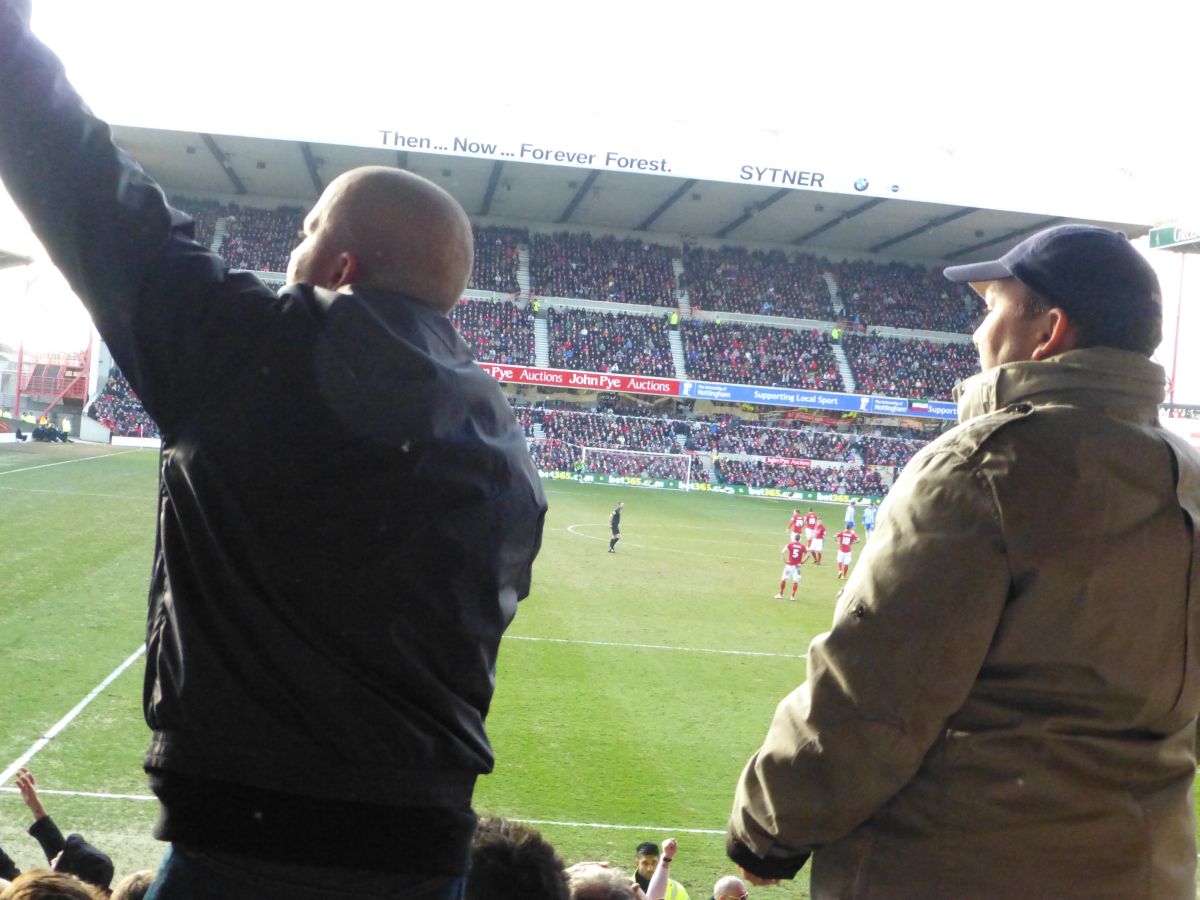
(632,687)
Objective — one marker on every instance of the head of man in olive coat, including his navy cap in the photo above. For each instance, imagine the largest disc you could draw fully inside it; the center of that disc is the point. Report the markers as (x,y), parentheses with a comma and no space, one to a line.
(1065,289)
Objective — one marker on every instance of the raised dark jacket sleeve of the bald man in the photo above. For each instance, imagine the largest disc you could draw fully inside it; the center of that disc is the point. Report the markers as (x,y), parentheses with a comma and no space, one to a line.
(170,310)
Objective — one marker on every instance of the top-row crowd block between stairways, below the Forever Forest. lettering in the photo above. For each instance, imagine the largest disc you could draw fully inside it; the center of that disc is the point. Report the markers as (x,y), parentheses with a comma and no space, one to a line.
(617,271)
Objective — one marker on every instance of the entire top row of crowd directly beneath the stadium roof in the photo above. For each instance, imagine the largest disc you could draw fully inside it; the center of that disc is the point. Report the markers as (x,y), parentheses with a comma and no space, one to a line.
(626,271)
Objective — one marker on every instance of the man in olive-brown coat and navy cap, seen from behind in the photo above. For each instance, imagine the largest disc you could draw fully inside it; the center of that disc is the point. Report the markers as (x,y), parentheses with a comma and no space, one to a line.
(1006,703)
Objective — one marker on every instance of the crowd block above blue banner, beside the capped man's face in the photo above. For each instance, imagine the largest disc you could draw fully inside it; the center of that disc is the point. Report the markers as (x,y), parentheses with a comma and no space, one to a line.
(898,368)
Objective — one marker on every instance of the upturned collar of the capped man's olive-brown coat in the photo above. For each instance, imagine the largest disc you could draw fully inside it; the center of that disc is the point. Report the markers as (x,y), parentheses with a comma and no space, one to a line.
(1097,377)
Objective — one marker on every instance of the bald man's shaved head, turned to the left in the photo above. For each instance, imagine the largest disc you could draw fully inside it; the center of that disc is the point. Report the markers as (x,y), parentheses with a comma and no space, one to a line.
(376,227)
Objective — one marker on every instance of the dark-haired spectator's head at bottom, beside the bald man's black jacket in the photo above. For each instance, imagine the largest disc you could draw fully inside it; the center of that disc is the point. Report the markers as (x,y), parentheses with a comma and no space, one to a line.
(512,862)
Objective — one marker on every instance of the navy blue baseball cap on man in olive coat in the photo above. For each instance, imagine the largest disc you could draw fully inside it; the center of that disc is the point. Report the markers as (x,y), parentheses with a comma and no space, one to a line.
(1095,274)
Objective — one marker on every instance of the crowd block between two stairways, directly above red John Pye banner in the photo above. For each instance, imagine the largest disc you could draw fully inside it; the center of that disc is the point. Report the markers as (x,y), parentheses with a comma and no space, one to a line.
(610,343)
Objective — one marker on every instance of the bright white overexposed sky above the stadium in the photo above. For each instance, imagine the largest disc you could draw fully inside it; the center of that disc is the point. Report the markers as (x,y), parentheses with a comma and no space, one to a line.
(1051,87)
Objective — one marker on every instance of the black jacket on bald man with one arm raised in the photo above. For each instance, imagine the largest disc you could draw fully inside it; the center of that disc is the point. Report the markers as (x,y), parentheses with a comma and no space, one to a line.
(347,512)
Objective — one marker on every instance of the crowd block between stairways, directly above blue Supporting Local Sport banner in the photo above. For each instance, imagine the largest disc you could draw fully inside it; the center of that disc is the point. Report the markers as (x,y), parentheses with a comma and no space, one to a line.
(760,355)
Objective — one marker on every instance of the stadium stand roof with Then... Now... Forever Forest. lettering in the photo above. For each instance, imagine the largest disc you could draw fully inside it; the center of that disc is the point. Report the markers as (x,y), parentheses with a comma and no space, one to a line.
(823,223)
